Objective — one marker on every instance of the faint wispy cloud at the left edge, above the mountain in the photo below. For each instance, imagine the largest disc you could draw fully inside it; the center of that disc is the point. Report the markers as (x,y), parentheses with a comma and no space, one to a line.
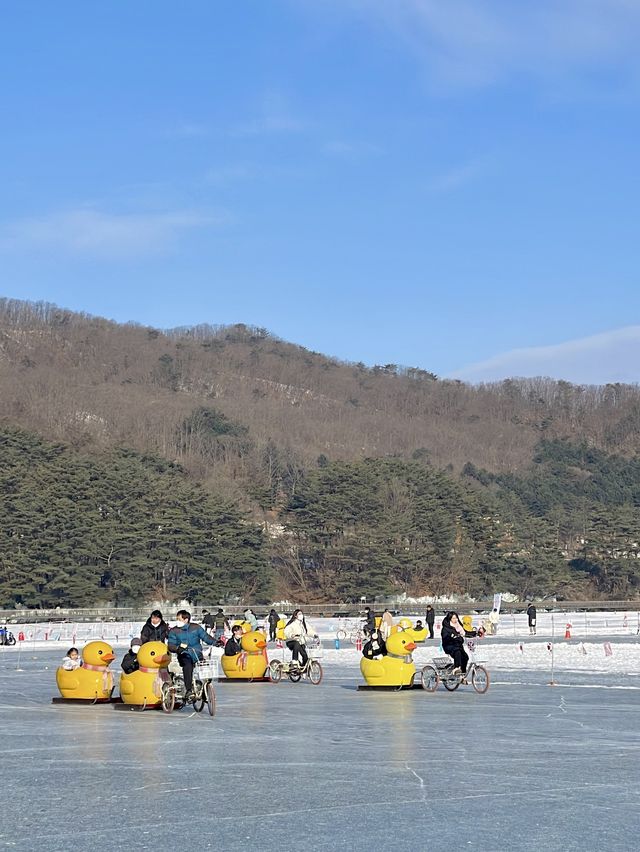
(91,232)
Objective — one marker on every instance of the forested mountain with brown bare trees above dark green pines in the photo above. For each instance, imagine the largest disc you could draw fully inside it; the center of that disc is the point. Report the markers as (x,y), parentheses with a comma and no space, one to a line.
(279,471)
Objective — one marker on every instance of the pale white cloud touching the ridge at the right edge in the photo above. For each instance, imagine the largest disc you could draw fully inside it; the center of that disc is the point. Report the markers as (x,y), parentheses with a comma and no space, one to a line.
(613,356)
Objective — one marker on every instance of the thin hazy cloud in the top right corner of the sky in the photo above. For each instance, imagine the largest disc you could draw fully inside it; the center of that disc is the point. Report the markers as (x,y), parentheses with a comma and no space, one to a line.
(475,43)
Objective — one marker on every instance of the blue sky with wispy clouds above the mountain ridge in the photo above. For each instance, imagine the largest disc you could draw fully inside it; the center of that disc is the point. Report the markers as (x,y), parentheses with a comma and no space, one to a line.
(450,185)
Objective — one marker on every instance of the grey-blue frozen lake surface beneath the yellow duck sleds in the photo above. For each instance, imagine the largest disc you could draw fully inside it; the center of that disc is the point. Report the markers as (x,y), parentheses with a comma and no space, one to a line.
(292,767)
